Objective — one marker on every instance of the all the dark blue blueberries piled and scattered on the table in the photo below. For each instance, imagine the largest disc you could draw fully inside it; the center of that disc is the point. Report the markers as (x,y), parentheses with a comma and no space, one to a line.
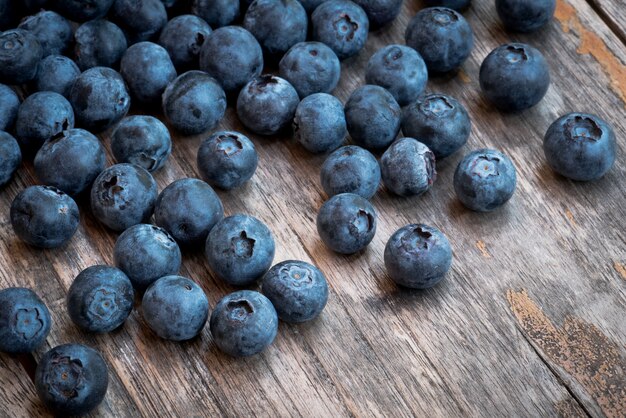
(80,63)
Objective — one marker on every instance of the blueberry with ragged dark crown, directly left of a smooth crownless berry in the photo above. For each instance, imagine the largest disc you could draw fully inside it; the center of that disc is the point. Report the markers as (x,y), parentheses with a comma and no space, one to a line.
(123,195)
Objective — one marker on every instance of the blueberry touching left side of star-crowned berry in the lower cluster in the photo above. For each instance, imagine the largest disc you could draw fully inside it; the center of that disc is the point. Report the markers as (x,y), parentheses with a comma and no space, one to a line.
(146,253)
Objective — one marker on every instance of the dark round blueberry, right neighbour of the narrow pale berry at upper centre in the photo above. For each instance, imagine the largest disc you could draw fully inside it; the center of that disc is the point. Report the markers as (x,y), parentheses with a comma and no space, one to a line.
(373,117)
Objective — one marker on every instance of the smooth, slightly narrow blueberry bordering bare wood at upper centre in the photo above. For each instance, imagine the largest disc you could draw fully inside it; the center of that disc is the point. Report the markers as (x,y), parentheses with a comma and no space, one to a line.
(320,123)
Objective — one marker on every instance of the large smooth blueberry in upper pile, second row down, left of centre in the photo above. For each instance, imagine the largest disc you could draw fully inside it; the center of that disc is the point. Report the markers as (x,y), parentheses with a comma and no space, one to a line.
(233,56)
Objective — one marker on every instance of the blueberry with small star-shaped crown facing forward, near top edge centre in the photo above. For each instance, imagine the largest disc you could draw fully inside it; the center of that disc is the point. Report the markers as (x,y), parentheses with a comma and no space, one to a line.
(342,25)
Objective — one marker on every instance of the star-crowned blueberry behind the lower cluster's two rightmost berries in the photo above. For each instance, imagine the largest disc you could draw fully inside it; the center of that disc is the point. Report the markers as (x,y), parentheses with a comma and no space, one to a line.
(240,249)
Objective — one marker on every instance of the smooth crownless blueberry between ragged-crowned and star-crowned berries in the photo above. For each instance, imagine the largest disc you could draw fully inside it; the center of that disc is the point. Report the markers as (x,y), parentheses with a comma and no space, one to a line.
(188,209)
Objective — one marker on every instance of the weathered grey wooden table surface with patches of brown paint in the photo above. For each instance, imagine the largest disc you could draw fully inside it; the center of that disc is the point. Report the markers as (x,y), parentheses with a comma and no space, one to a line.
(531,321)
